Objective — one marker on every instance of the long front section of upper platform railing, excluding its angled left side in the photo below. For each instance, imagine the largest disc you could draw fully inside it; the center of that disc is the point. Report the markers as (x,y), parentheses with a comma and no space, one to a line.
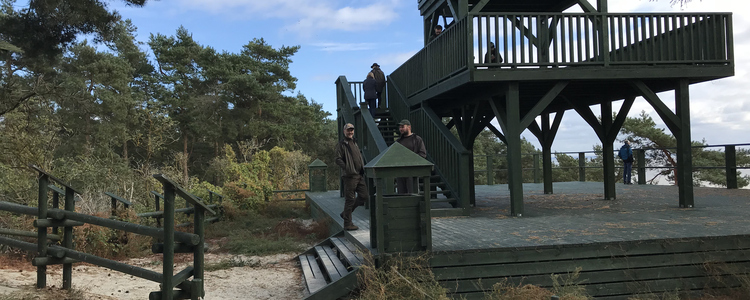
(566,39)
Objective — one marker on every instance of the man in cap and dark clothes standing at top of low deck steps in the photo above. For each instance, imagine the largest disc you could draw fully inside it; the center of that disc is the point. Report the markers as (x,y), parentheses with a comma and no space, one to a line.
(352,166)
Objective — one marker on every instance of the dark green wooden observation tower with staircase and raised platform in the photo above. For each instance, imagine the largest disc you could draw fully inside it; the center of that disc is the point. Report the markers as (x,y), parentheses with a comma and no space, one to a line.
(552,63)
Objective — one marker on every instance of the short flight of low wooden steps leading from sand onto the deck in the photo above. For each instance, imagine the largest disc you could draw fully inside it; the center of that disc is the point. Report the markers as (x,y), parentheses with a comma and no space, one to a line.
(330,268)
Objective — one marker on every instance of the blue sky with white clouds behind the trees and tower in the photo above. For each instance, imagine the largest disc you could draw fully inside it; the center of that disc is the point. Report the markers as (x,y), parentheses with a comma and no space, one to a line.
(344,37)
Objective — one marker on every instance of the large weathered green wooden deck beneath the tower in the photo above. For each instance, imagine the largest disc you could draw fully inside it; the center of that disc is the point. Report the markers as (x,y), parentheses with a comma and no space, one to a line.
(640,242)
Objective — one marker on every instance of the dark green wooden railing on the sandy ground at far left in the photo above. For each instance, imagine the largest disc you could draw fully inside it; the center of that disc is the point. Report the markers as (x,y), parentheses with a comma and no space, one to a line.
(171,241)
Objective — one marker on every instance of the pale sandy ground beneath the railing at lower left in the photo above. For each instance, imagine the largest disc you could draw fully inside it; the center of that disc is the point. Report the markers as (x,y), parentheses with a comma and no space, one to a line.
(266,277)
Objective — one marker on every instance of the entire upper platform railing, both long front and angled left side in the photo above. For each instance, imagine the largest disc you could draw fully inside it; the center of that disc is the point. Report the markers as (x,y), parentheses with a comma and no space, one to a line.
(538,40)
